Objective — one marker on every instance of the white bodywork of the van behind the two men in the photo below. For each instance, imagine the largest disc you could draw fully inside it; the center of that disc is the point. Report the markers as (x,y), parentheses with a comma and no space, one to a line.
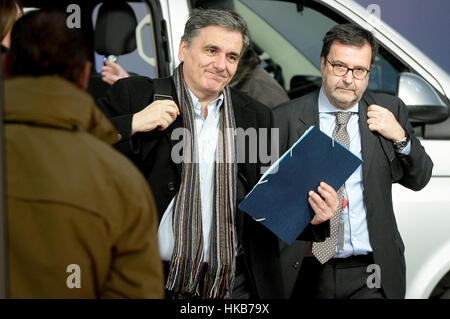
(423,217)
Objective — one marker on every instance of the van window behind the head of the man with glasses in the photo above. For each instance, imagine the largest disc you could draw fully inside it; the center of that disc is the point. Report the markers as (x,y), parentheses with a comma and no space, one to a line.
(289,36)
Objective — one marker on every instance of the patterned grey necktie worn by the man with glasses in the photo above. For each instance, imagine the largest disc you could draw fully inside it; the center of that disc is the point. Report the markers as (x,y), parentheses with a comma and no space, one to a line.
(326,250)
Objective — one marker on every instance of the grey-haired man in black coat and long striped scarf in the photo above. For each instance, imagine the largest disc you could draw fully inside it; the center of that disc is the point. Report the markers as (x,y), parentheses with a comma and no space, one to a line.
(209,248)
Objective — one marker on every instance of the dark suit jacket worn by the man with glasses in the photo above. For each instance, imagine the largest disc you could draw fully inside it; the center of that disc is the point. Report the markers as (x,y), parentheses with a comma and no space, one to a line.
(382,166)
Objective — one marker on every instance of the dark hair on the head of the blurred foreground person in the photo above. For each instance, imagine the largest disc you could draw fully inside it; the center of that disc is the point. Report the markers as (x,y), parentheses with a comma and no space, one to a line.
(42,44)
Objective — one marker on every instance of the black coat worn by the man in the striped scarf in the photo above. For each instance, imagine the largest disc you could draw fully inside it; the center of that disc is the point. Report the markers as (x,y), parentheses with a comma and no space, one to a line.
(151,153)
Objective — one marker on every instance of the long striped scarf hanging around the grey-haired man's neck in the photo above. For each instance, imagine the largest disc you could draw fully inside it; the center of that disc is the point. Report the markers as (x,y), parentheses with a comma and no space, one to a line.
(187,258)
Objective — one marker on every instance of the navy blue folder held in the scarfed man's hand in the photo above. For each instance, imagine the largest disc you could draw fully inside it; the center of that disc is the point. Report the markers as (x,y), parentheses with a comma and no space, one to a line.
(280,199)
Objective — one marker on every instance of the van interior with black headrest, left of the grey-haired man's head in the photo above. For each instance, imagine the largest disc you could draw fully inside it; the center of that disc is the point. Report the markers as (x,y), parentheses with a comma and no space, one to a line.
(110,27)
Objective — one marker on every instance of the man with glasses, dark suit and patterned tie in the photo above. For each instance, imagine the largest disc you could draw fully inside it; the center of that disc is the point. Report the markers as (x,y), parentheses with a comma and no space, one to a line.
(374,126)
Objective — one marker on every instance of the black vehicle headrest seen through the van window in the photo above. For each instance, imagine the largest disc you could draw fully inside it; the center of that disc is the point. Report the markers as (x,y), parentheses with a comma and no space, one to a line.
(115,29)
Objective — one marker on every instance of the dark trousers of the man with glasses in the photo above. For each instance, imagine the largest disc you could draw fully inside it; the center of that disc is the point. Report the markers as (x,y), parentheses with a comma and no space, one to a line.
(339,278)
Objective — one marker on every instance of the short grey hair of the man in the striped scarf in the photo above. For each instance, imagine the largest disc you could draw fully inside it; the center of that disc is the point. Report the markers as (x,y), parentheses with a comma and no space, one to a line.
(224,18)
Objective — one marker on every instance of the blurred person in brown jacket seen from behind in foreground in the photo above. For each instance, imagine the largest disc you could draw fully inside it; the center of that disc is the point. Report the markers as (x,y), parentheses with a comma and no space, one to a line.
(81,218)
